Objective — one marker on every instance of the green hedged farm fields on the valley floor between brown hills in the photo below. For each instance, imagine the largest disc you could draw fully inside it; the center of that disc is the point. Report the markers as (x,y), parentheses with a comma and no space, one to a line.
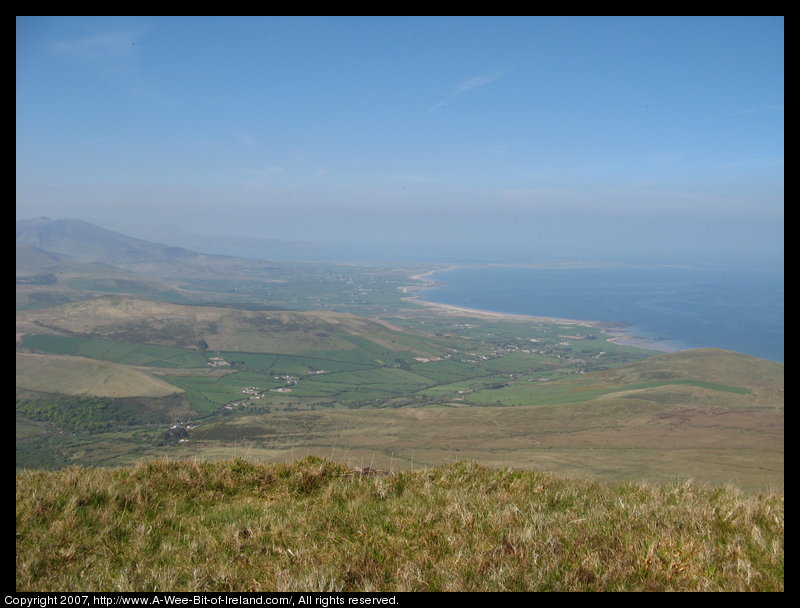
(375,368)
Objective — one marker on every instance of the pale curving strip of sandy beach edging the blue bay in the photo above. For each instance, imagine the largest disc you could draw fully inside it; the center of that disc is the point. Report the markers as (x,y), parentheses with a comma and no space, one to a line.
(615,332)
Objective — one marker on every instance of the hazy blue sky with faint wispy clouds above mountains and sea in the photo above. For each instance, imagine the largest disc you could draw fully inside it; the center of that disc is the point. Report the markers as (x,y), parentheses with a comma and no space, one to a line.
(437,138)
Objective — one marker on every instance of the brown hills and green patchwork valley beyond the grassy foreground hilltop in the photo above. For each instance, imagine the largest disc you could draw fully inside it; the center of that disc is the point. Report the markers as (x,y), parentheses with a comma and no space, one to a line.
(277,385)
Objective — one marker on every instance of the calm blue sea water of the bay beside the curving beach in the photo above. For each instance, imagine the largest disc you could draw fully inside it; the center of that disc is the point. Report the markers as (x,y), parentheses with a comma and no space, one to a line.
(681,307)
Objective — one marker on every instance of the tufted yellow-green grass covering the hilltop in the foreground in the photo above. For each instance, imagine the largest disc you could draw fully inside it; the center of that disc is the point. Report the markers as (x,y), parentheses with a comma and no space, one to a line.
(318,526)
